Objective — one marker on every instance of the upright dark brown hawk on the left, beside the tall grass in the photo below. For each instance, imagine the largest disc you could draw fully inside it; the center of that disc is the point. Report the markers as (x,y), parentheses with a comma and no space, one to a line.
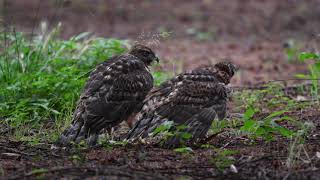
(114,93)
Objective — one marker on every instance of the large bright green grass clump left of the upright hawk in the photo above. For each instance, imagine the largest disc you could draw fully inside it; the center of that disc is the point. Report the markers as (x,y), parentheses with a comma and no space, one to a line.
(41,79)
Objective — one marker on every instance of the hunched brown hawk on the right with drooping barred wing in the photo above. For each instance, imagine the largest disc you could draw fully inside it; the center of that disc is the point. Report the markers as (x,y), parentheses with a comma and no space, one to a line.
(190,101)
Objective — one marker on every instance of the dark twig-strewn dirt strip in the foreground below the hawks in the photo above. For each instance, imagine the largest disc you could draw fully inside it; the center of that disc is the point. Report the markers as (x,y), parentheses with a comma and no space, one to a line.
(253,160)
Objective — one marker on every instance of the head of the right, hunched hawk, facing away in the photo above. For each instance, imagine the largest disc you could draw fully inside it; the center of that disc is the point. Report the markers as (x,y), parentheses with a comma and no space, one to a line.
(225,71)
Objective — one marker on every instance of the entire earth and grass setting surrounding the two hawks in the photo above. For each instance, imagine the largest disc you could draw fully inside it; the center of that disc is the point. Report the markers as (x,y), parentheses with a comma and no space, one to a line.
(46,56)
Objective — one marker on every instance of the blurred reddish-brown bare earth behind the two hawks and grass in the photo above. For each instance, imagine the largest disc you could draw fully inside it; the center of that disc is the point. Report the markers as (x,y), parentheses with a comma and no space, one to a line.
(261,36)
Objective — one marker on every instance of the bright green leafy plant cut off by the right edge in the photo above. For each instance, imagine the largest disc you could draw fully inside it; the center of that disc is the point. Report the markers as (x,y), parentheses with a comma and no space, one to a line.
(314,71)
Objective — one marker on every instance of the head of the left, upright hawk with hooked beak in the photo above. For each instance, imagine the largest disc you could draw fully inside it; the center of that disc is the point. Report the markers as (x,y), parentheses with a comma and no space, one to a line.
(144,53)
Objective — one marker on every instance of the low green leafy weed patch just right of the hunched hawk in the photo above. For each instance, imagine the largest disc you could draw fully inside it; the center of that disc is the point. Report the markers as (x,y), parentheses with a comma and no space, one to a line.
(266,125)
